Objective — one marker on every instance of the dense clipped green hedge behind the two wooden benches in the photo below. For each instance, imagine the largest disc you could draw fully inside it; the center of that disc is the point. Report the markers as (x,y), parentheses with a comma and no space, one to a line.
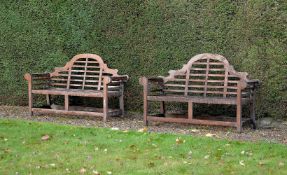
(145,37)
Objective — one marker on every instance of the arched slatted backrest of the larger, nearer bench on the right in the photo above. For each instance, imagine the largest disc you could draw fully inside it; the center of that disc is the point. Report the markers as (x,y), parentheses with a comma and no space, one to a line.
(205,75)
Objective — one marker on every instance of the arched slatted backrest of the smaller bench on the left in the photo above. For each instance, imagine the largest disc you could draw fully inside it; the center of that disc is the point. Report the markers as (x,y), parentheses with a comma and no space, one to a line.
(83,71)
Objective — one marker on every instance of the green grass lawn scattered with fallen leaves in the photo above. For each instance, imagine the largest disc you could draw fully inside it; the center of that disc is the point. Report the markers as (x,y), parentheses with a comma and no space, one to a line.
(79,150)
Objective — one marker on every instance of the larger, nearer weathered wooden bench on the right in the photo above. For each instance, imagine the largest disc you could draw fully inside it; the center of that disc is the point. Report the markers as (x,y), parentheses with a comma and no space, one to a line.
(205,79)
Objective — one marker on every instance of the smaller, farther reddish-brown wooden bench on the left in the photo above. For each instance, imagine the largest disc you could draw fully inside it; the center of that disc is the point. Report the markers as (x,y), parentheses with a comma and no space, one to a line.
(85,75)
